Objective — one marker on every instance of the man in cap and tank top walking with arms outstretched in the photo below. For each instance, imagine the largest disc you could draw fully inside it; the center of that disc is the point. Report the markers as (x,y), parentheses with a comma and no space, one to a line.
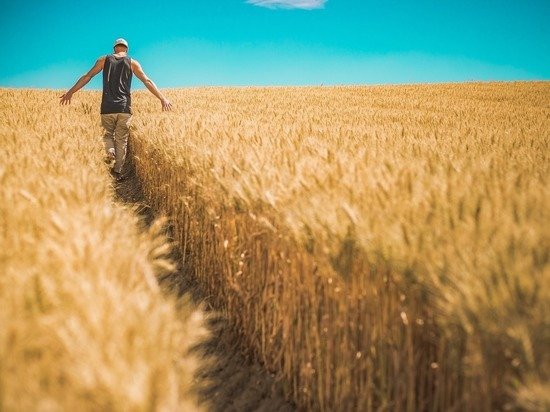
(116,102)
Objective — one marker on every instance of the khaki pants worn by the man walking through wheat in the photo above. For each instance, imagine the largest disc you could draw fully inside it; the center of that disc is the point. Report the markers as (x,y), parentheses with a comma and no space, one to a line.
(117,130)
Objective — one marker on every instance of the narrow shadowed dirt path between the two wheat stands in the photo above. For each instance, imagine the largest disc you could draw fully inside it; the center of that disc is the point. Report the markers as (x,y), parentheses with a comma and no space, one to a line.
(234,382)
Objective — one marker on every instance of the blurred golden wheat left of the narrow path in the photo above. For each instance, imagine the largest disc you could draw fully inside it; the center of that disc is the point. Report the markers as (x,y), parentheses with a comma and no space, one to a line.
(83,324)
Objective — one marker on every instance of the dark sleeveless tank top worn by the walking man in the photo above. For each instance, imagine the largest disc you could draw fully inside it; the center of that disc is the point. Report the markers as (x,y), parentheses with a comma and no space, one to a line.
(117,79)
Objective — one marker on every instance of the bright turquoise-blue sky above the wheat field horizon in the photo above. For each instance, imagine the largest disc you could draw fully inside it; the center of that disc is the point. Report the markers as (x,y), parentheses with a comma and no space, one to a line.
(49,44)
